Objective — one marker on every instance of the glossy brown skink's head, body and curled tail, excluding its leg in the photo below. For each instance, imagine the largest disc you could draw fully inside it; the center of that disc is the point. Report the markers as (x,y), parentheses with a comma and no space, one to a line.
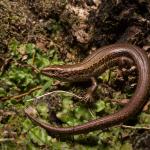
(93,66)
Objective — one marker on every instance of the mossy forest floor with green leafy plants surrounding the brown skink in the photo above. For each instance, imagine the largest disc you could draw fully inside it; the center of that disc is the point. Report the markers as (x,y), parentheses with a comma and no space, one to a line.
(46,32)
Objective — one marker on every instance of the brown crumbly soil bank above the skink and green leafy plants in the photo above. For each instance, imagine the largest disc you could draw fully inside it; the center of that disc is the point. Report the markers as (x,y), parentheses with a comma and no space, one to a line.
(74,25)
